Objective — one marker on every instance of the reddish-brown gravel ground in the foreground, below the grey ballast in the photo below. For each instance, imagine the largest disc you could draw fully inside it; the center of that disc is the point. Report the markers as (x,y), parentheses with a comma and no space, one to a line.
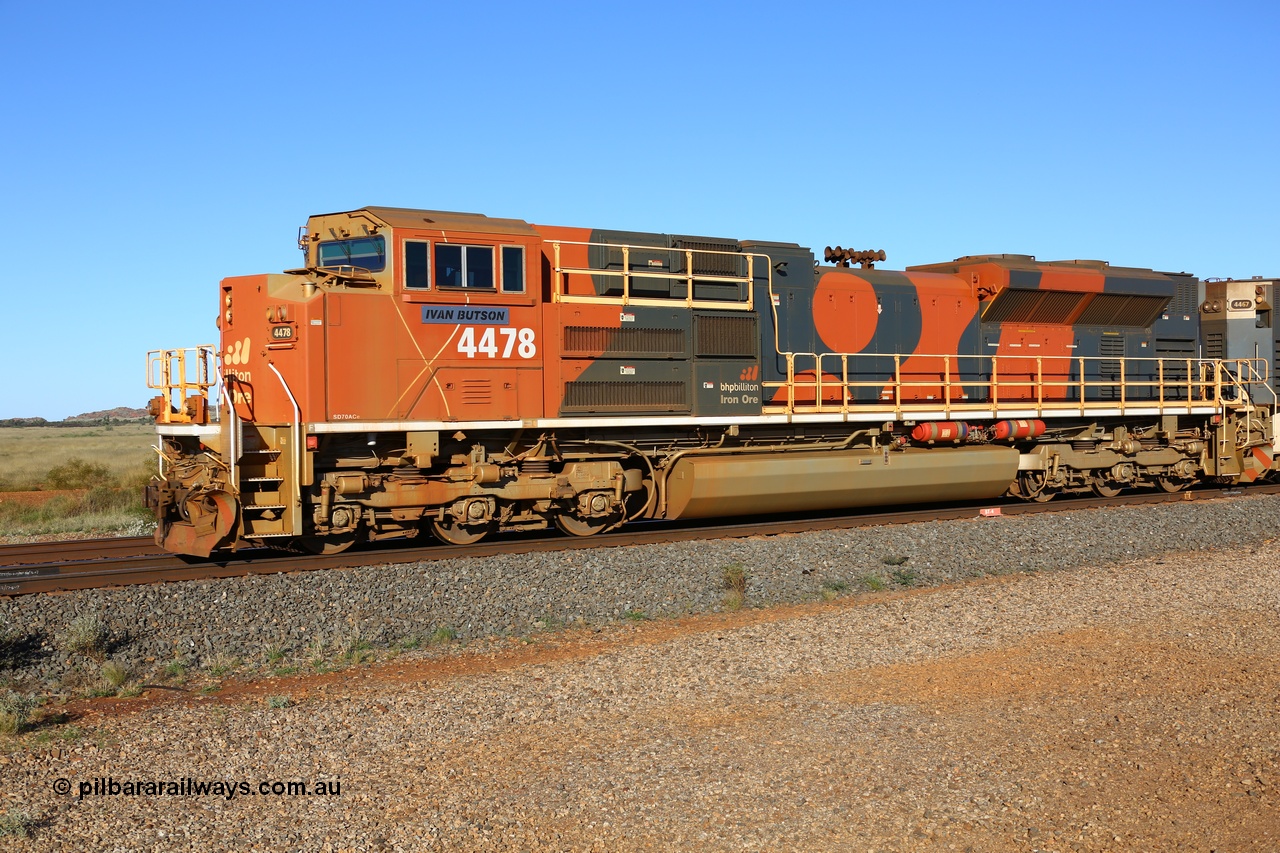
(1127,708)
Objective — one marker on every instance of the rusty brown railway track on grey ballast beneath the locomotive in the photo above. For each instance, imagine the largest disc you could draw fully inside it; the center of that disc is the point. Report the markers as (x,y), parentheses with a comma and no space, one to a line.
(90,564)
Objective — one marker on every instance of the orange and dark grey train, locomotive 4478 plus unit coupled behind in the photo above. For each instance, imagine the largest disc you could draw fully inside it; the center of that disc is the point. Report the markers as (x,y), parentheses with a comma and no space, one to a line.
(460,375)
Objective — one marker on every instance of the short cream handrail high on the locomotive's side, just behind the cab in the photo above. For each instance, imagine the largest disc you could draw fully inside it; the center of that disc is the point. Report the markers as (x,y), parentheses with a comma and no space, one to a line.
(692,279)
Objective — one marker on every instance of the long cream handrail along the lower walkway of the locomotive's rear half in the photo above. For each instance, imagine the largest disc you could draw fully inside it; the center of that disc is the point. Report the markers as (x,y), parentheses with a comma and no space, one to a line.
(830,382)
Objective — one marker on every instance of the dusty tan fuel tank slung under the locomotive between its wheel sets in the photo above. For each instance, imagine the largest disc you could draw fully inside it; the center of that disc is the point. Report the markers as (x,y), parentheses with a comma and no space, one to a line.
(702,487)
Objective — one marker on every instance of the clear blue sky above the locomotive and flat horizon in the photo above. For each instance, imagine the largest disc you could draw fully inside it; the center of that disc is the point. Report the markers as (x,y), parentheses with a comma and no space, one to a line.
(152,149)
